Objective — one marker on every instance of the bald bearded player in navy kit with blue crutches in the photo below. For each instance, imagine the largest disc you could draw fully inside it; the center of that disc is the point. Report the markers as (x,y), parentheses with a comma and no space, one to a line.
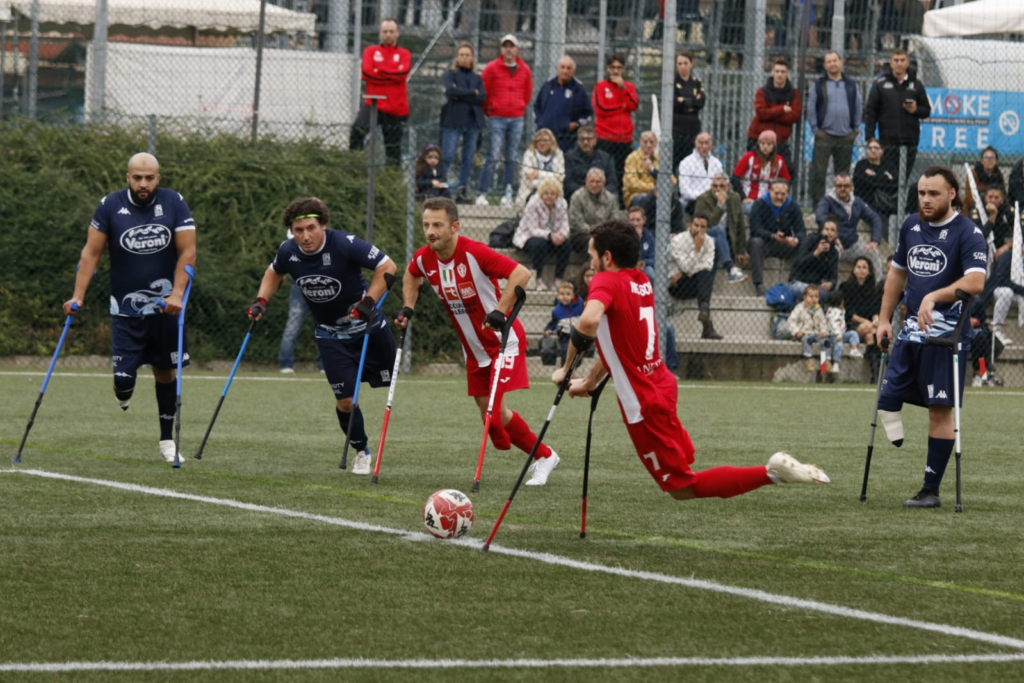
(152,238)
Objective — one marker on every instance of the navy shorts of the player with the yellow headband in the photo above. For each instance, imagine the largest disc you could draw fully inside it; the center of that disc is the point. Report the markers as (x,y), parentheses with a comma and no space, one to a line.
(342,360)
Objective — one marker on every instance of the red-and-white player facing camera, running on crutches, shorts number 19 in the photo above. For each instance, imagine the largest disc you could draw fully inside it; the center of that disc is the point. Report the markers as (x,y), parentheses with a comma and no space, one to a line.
(465,274)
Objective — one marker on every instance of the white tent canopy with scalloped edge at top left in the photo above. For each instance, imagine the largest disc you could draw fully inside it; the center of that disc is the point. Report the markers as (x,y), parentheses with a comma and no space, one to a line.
(223,16)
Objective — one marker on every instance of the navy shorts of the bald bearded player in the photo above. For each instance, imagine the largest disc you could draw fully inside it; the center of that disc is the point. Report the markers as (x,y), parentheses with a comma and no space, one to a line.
(150,340)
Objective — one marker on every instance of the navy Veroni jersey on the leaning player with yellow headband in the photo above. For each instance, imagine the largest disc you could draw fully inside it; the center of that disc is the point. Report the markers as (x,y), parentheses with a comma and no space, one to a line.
(331,279)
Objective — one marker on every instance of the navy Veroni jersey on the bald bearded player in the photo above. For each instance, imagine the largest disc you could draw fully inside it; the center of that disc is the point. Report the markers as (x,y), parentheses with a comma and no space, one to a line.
(142,245)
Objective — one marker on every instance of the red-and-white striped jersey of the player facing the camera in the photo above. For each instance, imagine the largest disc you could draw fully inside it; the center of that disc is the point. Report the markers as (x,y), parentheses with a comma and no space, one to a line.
(468,285)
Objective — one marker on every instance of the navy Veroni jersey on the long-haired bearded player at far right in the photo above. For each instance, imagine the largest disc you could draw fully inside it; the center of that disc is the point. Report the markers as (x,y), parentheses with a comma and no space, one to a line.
(935,257)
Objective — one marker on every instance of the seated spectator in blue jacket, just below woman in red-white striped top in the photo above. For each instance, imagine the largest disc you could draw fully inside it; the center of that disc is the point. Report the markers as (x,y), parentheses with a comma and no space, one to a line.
(777,230)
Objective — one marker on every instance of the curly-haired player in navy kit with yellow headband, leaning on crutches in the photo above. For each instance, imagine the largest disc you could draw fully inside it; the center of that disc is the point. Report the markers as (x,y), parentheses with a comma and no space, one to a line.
(328,268)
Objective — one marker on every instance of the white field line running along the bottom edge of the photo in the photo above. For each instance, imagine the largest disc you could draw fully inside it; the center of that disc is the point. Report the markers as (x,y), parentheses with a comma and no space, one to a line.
(627,663)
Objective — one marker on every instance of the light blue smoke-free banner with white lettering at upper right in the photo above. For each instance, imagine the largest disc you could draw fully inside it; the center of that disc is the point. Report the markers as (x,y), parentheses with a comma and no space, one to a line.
(972,120)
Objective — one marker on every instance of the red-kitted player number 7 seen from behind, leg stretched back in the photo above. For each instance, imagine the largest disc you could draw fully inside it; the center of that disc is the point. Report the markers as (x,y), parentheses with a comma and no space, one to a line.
(620,313)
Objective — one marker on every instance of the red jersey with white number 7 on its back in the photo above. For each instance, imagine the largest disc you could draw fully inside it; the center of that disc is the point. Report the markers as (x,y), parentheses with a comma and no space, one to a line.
(627,340)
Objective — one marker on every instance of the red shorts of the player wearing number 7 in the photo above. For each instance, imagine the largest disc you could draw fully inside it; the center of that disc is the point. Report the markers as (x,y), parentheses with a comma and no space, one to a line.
(664,446)
